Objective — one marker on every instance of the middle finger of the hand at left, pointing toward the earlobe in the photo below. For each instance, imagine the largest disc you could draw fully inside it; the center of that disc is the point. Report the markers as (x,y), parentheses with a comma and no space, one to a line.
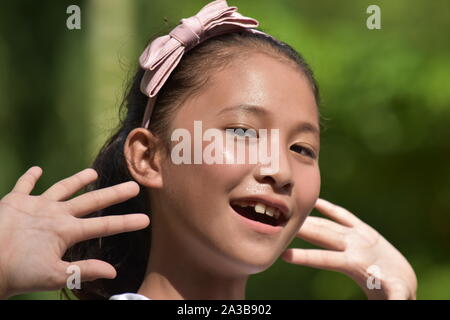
(99,199)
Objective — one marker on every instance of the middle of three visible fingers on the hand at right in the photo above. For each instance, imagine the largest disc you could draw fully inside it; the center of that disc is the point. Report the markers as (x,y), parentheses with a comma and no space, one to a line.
(323,232)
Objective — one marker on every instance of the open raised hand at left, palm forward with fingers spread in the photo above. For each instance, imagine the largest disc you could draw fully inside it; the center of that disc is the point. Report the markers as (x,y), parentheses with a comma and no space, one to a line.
(35,231)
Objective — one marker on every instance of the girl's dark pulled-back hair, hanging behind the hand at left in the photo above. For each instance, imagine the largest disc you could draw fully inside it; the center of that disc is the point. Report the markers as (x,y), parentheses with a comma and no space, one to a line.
(129,252)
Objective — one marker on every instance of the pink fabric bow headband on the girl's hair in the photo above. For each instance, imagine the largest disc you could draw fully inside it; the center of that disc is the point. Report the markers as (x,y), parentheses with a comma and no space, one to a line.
(163,54)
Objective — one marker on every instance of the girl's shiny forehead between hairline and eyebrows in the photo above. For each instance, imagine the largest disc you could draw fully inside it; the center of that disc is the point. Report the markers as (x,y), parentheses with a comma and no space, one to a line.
(257,79)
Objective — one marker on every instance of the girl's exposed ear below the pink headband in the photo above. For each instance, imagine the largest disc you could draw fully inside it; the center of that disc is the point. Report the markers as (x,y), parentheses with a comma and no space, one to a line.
(143,155)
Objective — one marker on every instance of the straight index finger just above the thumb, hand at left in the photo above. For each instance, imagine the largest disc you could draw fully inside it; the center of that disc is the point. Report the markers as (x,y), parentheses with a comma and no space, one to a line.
(110,225)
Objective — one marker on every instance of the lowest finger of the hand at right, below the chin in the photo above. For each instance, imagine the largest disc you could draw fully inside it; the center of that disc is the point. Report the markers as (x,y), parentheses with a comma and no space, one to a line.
(316,258)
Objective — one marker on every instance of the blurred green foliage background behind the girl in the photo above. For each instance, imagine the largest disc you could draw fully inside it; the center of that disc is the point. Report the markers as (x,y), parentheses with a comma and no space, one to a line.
(385,97)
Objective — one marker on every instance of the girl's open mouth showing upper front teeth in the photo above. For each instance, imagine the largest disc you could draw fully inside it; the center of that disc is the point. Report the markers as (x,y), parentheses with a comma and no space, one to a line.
(257,211)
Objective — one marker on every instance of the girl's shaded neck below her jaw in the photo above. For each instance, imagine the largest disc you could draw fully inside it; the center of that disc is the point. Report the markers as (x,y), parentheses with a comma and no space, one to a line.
(176,273)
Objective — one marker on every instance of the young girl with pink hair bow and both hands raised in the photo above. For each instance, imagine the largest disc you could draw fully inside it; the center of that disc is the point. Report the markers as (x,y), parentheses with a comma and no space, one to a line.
(212,223)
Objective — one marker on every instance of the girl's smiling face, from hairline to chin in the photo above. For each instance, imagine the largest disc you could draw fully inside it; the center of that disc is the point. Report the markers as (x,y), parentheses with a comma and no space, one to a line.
(194,207)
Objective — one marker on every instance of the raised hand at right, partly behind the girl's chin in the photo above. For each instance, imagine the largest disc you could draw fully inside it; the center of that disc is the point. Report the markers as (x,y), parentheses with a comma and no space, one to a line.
(357,250)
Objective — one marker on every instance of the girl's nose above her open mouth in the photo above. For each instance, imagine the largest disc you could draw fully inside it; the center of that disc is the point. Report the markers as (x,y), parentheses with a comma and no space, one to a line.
(281,180)
